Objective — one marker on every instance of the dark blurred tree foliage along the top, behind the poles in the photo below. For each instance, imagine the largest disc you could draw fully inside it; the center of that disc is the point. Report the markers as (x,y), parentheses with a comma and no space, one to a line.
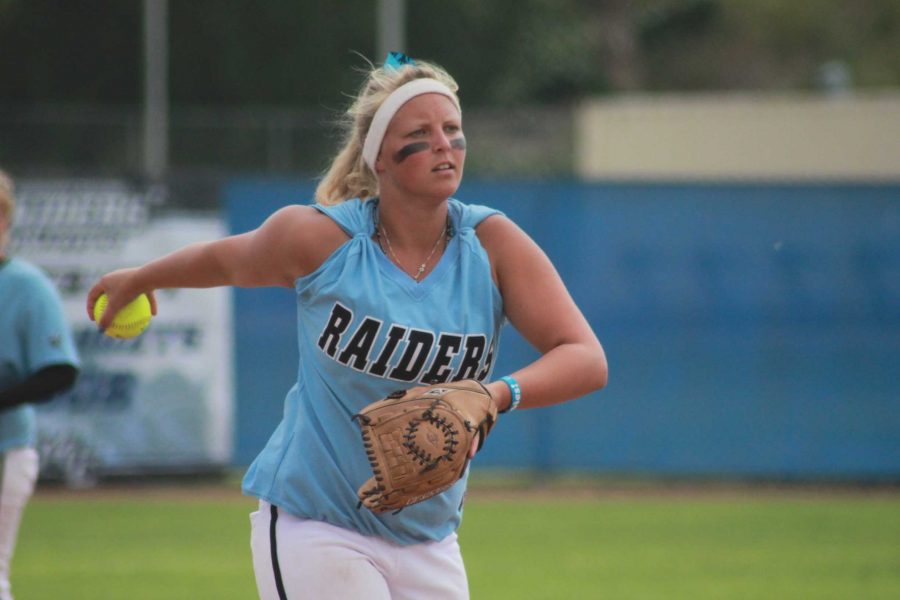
(503,52)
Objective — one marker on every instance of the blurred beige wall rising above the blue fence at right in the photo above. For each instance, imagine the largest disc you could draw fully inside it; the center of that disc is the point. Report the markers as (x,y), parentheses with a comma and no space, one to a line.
(756,138)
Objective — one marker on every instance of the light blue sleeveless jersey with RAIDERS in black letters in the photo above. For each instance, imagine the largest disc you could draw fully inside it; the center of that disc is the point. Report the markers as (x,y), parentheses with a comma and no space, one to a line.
(365,329)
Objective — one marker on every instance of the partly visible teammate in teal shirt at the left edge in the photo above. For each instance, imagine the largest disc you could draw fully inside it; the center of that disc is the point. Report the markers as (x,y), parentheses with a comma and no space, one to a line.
(38,360)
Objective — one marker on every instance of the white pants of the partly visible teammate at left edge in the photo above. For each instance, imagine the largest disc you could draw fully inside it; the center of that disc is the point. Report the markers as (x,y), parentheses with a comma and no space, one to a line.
(18,473)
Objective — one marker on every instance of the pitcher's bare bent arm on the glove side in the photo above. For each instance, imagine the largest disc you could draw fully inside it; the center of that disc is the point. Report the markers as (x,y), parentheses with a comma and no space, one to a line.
(538,305)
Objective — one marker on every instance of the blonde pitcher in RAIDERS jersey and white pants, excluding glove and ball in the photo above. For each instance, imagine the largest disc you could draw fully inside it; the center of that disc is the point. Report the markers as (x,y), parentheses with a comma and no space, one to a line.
(397,285)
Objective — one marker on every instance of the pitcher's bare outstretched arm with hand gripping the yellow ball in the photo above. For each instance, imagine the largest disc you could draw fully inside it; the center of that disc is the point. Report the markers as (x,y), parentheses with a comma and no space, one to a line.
(291,243)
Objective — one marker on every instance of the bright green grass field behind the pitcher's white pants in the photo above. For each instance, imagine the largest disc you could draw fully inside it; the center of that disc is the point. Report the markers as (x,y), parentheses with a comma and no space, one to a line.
(555,544)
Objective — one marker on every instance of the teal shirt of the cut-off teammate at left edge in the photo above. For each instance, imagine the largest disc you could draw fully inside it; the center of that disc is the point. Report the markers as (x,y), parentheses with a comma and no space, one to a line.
(33,334)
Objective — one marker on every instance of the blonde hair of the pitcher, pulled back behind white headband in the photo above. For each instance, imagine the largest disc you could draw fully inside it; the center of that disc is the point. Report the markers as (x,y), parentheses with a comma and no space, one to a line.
(349,176)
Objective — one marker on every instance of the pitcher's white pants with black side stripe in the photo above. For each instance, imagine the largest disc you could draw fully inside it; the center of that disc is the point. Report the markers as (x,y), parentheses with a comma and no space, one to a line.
(318,561)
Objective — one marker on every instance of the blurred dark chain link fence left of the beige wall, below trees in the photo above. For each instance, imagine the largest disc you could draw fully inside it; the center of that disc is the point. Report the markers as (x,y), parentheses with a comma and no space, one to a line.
(209,143)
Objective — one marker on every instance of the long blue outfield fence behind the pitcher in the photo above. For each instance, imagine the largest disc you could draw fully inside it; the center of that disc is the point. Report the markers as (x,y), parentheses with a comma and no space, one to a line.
(751,330)
